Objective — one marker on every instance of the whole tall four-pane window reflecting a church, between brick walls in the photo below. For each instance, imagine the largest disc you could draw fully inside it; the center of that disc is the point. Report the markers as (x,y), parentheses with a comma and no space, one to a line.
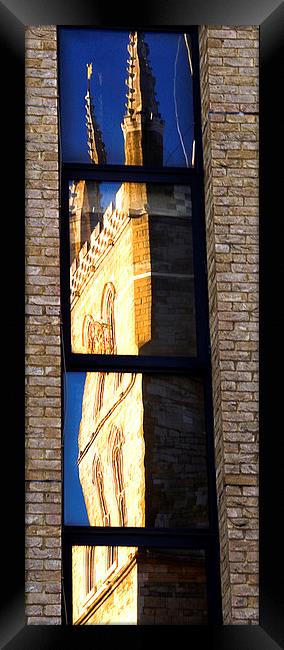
(139,481)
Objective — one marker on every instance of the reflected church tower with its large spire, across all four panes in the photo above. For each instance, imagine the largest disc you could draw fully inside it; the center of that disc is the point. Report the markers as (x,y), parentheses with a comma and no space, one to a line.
(142,448)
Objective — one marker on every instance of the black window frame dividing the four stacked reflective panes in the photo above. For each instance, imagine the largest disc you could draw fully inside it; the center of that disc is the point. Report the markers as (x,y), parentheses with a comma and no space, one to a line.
(199,365)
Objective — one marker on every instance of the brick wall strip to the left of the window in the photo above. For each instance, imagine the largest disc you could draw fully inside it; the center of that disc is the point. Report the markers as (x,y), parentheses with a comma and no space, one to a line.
(43,373)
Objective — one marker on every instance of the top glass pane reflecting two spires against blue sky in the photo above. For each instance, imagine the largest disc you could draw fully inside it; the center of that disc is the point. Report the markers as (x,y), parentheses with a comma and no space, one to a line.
(126,98)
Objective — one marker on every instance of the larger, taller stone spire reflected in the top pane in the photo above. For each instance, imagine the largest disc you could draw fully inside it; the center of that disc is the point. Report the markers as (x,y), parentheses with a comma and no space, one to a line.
(142,125)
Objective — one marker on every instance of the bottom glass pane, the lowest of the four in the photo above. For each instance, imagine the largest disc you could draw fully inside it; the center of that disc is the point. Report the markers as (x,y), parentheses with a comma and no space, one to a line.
(141,586)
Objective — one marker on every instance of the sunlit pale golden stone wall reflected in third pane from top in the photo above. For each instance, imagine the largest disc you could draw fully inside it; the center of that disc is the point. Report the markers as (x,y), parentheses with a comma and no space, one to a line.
(123,408)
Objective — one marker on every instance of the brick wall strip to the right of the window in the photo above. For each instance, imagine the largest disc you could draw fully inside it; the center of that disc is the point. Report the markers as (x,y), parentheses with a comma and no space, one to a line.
(229,76)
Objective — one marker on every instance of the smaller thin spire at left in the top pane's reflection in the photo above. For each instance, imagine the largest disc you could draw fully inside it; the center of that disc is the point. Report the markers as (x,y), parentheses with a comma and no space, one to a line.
(97,151)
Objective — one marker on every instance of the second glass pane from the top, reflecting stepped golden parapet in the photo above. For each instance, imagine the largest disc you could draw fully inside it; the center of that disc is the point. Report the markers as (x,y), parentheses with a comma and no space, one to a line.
(131,273)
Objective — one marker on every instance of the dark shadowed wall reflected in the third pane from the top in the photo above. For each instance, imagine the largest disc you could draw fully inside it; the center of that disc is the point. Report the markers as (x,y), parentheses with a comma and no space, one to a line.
(176,491)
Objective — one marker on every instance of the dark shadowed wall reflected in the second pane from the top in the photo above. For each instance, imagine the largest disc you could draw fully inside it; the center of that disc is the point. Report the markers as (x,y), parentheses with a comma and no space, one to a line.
(171,263)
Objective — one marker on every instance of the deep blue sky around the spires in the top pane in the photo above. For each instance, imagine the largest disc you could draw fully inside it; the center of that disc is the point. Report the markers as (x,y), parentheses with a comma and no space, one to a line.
(107,51)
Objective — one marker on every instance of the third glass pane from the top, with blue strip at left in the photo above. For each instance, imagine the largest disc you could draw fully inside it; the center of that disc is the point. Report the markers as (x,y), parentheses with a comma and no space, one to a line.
(135,451)
